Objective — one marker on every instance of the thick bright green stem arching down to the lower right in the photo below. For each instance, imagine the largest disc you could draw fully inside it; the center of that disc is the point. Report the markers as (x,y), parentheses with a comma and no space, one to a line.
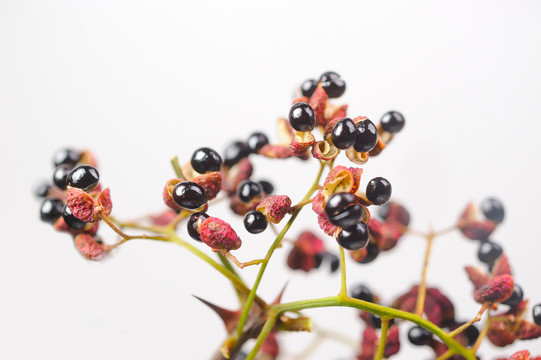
(379,310)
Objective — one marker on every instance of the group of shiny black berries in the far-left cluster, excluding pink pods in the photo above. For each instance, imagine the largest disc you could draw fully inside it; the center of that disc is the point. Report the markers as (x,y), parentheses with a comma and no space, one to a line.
(66,173)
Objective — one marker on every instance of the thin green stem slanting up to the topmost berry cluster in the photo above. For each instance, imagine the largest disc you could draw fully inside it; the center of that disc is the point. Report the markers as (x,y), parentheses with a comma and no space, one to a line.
(250,299)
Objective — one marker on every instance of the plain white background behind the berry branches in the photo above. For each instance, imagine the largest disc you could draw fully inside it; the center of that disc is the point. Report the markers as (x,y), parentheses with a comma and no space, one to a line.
(139,82)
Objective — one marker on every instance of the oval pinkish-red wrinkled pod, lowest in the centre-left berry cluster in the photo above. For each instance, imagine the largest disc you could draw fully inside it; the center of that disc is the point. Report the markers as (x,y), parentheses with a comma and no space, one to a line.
(219,235)
